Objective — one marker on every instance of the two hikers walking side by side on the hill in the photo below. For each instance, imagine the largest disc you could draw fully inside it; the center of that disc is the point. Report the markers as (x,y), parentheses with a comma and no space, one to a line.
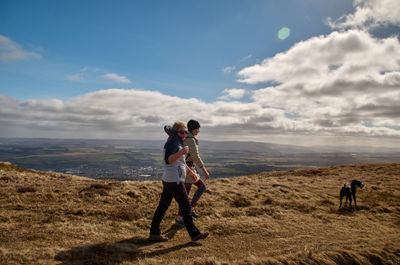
(181,154)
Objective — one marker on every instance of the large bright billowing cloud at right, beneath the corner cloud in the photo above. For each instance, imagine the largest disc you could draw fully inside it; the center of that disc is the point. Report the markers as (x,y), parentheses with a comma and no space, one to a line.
(355,53)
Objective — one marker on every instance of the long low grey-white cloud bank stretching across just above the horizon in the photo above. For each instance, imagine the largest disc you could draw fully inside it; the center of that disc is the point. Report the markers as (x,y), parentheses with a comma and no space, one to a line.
(132,113)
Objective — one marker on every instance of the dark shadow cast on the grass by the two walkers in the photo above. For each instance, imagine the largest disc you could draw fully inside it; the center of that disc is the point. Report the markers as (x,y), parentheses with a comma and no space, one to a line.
(117,252)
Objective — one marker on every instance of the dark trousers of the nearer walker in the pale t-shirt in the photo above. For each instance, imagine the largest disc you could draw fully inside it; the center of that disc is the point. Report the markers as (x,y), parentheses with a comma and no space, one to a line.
(178,192)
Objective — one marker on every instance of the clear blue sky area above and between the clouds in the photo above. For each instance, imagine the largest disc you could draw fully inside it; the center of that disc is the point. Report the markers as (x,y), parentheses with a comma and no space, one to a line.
(177,47)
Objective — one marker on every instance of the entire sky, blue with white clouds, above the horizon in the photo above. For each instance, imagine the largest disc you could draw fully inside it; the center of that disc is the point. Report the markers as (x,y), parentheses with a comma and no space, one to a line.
(219,57)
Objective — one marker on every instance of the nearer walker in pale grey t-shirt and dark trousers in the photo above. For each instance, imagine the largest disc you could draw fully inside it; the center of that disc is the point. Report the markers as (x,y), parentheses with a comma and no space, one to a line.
(173,185)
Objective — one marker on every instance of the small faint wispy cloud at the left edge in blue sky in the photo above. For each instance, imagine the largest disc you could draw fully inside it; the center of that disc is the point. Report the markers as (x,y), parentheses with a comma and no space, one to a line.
(11,51)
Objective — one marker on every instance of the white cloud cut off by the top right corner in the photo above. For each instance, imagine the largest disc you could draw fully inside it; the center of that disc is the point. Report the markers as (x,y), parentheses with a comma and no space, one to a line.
(370,14)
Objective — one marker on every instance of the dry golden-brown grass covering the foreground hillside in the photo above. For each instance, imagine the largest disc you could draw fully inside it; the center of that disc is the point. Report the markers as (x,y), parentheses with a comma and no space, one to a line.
(270,218)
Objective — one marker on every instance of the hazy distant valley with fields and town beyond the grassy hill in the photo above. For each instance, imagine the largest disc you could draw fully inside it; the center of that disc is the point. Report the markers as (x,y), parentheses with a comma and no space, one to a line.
(142,160)
